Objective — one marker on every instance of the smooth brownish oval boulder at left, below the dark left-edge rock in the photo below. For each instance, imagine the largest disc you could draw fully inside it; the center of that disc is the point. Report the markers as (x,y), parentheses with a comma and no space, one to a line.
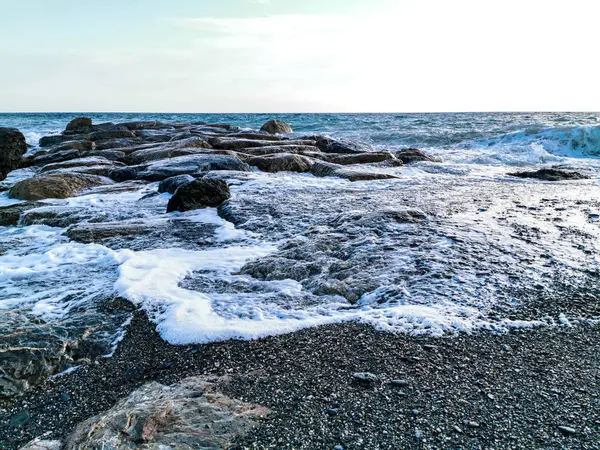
(62,185)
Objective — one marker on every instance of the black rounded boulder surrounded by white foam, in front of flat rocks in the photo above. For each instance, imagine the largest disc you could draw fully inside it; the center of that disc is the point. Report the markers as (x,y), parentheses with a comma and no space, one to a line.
(199,194)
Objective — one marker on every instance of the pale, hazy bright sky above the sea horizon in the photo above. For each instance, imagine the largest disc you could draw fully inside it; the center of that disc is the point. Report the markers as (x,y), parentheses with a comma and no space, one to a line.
(299,56)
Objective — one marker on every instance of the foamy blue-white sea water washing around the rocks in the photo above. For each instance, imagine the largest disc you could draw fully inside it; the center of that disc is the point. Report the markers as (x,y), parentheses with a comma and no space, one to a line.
(306,251)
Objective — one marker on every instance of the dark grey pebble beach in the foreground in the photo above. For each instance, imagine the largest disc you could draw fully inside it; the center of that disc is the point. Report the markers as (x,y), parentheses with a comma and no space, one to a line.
(509,390)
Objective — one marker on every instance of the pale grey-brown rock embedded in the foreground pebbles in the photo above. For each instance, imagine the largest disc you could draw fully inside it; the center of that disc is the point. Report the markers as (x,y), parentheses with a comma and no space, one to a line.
(190,414)
